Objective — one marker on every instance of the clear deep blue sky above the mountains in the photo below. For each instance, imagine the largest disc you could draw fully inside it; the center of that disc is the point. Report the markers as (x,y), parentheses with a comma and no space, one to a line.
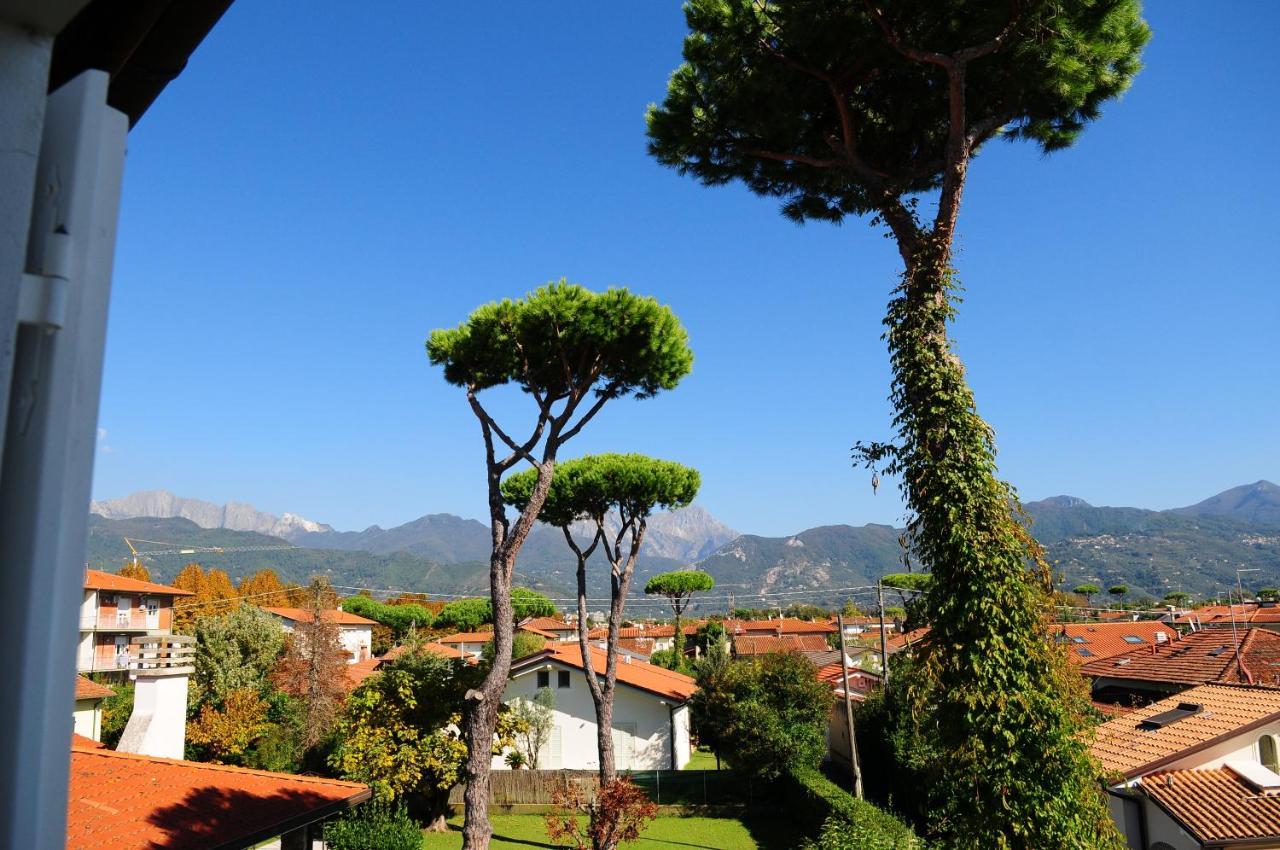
(319,191)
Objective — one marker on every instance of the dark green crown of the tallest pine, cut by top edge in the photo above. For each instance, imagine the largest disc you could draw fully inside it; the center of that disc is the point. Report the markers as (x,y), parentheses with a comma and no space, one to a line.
(810,102)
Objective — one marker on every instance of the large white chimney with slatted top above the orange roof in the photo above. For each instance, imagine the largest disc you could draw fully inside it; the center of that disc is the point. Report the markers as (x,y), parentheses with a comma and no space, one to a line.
(161,666)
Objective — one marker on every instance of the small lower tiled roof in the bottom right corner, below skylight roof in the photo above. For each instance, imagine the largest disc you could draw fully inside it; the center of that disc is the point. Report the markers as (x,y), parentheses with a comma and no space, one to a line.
(1217,807)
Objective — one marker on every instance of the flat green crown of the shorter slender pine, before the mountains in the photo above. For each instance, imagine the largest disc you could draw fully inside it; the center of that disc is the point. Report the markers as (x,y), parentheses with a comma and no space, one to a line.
(634,486)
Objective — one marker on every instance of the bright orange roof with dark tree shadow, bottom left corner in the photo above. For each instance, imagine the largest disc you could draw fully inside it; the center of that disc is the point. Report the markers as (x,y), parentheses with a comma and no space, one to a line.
(129,802)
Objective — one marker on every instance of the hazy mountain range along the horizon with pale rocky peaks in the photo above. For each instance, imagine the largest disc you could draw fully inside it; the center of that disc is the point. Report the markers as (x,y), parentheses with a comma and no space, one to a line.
(1196,549)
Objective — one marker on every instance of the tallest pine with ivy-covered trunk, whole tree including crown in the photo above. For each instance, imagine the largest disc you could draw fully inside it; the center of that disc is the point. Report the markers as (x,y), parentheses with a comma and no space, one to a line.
(845,108)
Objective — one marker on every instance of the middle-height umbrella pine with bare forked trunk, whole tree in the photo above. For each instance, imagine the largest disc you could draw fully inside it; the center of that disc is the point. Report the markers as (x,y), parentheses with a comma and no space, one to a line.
(570,351)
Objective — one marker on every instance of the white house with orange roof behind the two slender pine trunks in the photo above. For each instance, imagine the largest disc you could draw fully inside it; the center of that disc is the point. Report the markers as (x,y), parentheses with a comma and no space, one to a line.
(651,716)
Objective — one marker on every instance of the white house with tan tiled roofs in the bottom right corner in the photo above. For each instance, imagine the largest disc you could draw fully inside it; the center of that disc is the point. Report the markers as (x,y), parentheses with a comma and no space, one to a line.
(1197,771)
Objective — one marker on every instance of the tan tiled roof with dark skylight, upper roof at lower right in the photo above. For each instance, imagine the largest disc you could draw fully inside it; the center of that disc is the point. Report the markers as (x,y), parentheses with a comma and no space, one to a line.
(1122,746)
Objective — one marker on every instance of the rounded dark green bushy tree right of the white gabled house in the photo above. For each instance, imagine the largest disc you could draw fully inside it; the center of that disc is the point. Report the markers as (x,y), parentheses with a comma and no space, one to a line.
(765,718)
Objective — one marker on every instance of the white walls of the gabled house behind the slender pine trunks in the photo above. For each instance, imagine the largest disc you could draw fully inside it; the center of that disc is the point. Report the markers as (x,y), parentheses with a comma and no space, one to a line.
(642,721)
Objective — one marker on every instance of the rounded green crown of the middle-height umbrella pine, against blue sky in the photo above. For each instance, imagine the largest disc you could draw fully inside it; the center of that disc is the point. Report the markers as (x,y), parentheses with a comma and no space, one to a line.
(564,336)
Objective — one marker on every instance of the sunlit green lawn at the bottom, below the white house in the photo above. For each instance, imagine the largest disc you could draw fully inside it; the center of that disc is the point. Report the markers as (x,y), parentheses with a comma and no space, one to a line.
(525,831)
